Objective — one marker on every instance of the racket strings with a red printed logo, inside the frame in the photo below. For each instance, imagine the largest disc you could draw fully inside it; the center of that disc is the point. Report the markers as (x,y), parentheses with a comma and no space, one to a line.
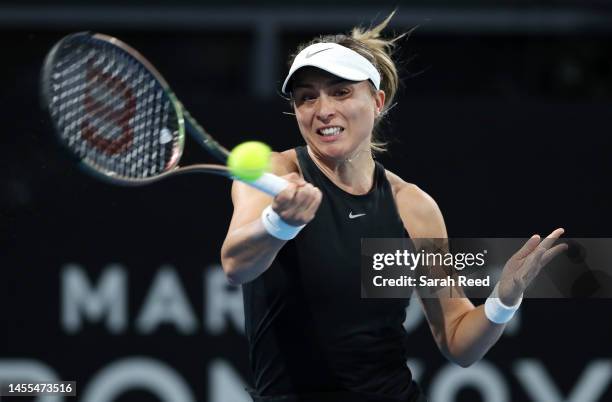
(111,111)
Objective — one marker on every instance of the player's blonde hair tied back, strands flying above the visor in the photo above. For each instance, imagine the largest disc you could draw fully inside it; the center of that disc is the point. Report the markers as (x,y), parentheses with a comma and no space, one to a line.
(379,52)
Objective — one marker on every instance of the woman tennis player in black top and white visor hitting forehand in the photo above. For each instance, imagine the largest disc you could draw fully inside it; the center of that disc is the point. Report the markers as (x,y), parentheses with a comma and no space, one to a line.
(297,256)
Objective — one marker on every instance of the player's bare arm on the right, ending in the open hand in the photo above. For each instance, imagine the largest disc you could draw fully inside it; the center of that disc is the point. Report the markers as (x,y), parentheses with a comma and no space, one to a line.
(463,332)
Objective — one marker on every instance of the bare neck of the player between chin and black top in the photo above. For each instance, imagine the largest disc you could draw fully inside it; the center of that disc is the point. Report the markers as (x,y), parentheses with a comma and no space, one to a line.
(354,173)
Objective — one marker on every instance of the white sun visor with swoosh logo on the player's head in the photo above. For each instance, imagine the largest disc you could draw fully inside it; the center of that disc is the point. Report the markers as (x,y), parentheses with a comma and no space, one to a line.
(337,60)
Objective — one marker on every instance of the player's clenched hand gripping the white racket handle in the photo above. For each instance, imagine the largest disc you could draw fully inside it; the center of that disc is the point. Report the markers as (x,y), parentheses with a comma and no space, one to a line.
(298,202)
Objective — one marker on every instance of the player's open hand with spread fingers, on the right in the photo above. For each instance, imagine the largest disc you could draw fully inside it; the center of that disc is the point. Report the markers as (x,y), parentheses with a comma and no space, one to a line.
(526,264)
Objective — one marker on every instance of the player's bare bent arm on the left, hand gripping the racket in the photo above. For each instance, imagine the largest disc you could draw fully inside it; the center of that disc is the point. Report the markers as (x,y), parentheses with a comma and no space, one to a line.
(248,250)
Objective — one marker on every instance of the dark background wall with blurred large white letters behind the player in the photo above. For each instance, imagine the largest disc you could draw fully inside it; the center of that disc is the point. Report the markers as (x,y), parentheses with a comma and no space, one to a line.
(503,117)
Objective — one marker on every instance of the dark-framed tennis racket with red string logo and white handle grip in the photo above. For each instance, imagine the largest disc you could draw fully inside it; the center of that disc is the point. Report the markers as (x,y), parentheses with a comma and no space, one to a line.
(116,114)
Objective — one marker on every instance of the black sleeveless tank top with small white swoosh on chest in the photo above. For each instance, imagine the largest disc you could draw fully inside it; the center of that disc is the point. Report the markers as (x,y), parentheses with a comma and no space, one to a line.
(311,336)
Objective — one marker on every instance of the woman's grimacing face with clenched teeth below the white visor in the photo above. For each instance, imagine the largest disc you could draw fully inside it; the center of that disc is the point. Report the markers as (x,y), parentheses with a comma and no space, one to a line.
(335,116)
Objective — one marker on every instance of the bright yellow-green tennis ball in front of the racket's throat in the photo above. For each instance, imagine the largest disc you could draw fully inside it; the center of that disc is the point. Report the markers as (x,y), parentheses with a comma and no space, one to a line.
(249,160)
